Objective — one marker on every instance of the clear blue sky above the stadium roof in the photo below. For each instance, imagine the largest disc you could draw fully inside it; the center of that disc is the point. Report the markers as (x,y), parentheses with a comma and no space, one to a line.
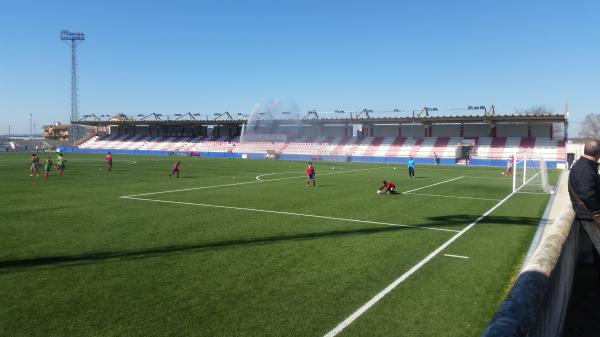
(213,56)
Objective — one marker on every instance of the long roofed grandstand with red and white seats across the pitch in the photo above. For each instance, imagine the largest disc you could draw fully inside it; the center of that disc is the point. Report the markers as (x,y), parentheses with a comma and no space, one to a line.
(486,139)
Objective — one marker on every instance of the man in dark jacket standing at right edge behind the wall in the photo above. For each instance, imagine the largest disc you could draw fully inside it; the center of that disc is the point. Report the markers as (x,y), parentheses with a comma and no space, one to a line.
(584,187)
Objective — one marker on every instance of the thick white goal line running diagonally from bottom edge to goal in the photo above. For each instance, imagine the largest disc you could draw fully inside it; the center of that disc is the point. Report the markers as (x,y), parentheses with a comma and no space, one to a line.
(356,314)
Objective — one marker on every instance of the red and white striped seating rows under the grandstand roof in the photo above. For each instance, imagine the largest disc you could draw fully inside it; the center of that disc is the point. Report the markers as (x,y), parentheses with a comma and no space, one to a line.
(485,149)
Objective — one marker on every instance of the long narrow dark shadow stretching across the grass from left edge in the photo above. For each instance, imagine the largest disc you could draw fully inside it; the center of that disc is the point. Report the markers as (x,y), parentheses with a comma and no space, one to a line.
(8,266)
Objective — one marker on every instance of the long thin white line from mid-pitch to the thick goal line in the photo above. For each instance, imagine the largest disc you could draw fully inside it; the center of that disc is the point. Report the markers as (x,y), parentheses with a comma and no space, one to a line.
(292,213)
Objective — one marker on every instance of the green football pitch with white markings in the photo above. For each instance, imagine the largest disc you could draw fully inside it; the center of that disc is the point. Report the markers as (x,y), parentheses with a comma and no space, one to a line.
(243,248)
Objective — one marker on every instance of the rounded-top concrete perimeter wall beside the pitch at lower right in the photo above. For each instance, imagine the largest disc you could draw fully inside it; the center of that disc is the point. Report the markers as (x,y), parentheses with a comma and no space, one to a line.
(537,304)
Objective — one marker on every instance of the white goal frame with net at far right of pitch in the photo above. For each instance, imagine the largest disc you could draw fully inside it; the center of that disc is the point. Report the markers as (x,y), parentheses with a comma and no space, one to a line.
(530,174)
